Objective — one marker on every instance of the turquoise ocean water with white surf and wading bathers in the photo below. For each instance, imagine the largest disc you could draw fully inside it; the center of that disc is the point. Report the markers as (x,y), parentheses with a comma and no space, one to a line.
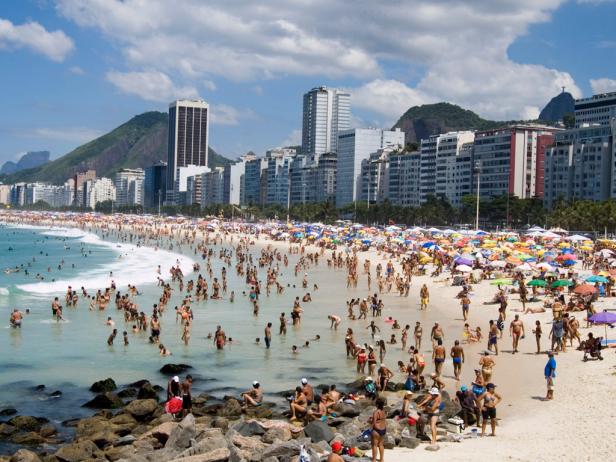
(69,356)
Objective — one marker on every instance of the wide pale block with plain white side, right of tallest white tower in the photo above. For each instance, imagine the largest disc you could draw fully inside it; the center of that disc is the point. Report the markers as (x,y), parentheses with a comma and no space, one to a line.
(353,147)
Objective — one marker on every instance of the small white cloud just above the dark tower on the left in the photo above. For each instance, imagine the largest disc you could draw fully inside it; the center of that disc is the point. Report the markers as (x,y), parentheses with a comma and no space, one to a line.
(150,85)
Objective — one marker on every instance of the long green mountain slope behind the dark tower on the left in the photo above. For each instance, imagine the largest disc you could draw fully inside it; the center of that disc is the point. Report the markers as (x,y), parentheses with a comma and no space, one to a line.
(138,143)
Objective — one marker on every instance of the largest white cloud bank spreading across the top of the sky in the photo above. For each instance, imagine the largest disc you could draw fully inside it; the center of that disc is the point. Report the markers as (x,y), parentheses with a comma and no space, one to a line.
(458,48)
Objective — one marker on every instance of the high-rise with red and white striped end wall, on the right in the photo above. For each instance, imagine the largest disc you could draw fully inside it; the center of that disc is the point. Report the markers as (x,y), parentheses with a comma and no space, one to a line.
(511,160)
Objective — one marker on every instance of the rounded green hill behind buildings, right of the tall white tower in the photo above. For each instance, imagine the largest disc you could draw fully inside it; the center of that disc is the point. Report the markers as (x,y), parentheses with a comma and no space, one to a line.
(420,122)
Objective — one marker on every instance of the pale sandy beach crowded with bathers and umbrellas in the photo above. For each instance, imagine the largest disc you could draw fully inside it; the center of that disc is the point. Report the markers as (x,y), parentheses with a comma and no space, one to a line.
(575,426)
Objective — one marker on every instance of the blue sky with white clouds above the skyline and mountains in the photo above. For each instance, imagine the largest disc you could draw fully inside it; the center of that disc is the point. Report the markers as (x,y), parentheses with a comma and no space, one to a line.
(72,70)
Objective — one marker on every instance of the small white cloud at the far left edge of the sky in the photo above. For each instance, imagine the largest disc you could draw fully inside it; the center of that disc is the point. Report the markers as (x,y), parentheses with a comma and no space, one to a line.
(55,45)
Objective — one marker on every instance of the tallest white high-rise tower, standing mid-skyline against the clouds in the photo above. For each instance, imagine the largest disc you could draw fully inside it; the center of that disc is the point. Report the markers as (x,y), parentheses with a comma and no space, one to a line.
(327,112)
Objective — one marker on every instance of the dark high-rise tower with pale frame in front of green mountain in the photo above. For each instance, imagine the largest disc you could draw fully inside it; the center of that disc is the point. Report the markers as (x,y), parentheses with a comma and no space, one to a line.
(188,140)
